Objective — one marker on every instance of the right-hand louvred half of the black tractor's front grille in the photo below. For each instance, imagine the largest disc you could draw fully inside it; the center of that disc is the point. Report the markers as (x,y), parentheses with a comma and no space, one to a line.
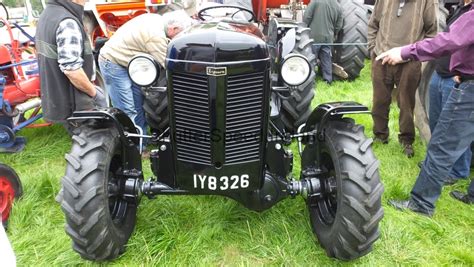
(244,116)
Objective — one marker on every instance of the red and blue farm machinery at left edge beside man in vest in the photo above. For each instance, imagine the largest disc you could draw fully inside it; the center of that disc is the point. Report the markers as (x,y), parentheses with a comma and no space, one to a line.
(20,103)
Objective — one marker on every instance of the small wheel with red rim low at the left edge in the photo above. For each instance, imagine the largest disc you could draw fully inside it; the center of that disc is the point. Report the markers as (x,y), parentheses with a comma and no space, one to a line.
(10,189)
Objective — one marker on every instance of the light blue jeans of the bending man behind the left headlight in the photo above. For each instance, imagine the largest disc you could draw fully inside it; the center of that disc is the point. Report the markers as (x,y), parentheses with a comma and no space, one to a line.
(124,94)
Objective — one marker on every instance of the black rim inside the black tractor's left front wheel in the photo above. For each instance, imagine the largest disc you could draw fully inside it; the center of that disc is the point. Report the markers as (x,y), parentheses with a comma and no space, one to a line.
(118,207)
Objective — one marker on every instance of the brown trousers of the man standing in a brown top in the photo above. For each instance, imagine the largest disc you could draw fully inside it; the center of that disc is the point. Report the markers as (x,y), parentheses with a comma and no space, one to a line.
(384,77)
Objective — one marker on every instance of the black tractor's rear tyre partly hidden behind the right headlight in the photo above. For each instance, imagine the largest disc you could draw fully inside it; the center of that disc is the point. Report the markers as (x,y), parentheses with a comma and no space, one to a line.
(296,108)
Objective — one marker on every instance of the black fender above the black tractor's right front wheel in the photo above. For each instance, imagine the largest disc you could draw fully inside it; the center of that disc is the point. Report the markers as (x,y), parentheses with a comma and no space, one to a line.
(331,111)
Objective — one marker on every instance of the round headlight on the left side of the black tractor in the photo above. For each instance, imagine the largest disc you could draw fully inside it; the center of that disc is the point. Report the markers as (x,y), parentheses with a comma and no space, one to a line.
(143,70)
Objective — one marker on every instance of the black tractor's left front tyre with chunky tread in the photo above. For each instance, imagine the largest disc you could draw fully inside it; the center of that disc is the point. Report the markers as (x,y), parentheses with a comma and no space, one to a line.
(98,218)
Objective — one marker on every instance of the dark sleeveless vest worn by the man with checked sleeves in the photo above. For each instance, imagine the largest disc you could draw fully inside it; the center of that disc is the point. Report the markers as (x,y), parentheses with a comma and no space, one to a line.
(58,96)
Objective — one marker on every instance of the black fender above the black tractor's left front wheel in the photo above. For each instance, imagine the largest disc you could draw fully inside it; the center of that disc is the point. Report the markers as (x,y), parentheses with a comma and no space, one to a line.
(116,118)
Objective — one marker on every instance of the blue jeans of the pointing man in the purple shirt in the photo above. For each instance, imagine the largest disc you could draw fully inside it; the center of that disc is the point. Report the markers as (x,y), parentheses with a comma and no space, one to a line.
(453,133)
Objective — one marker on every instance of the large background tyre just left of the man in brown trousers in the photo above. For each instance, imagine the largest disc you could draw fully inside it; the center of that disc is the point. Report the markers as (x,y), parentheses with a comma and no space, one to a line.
(354,31)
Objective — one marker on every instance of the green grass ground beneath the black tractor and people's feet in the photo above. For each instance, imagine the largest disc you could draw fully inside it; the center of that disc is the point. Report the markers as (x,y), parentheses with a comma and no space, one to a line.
(210,230)
